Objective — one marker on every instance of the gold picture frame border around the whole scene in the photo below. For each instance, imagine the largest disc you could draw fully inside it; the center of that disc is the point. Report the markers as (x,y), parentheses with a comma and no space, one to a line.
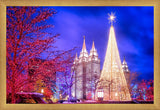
(154,3)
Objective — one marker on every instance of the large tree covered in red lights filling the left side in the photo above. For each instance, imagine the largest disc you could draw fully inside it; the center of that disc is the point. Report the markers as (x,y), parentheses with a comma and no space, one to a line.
(28,38)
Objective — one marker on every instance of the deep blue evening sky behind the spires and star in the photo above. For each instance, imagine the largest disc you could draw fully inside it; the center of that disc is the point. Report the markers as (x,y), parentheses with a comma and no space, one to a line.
(133,29)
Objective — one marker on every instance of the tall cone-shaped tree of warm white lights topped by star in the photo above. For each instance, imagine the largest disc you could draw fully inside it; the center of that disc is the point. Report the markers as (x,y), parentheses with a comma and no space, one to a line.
(112,83)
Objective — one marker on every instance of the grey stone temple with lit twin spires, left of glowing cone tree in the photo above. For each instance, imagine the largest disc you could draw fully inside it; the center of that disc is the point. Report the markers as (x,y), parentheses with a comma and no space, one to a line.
(87,73)
